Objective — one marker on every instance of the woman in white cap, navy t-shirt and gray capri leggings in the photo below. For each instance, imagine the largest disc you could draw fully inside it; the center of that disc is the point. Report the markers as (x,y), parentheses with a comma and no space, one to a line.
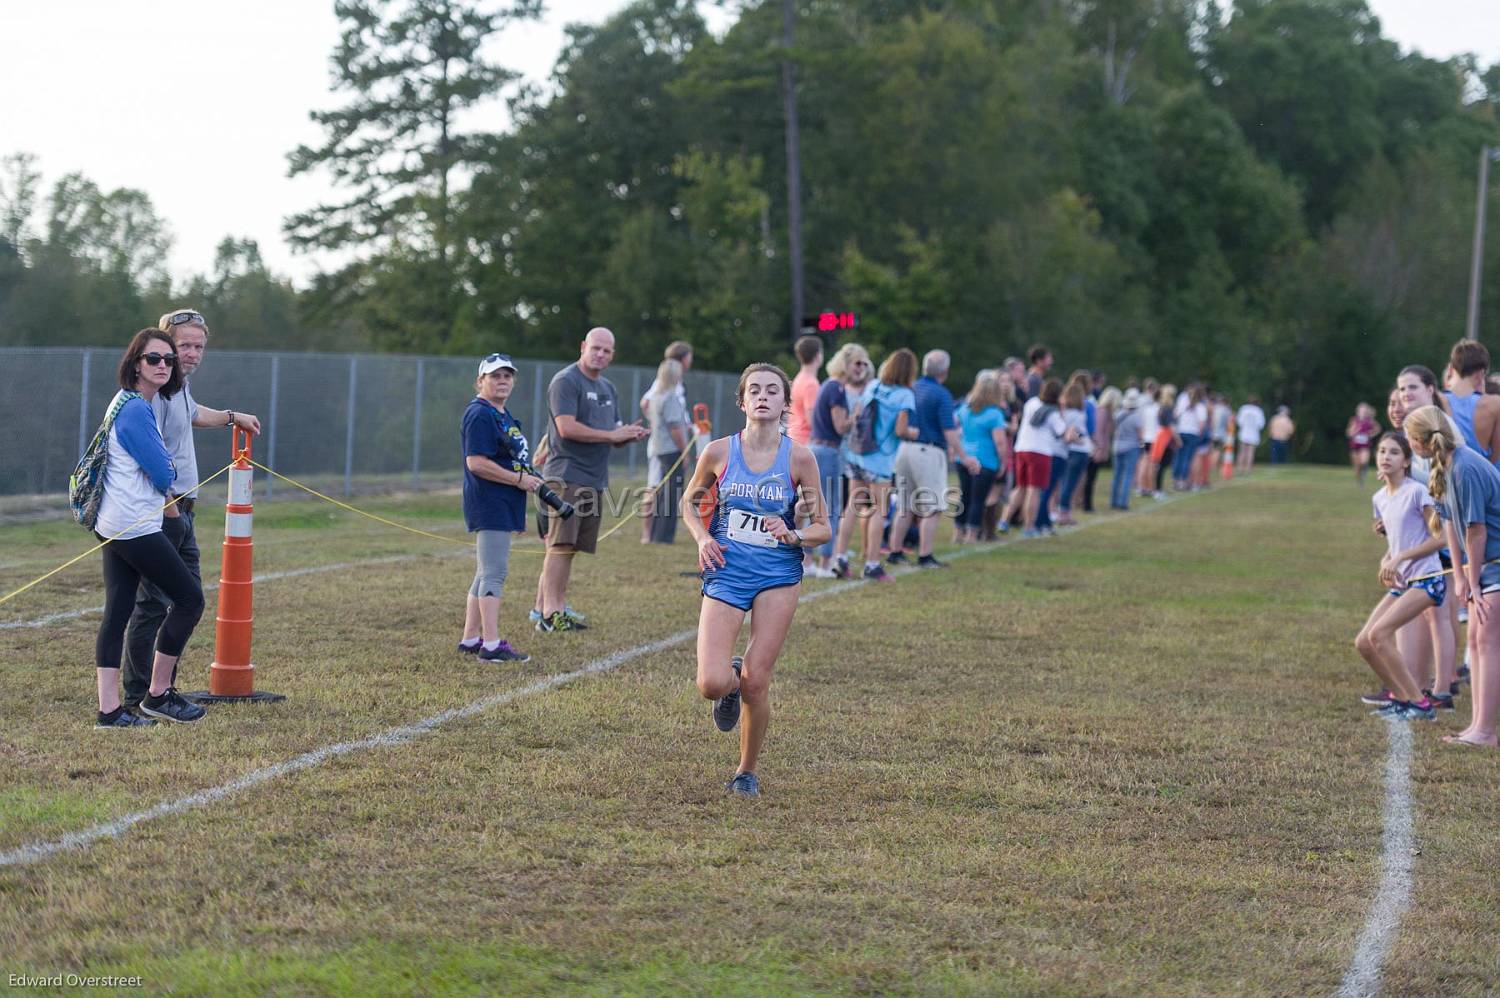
(496,485)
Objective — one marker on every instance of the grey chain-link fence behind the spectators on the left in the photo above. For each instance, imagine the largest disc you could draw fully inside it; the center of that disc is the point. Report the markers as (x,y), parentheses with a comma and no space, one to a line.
(340,422)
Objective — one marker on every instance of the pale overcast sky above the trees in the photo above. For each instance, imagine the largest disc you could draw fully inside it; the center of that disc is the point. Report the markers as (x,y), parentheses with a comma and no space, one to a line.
(106,86)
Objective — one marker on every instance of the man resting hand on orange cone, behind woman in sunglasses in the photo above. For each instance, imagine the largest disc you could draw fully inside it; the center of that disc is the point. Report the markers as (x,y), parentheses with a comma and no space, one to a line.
(175,418)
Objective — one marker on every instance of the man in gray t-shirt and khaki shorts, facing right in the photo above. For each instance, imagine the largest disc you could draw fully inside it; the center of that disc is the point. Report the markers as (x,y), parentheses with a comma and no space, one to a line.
(583,425)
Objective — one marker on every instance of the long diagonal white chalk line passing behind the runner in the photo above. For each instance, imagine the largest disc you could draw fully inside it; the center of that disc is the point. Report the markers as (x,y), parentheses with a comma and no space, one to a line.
(37,852)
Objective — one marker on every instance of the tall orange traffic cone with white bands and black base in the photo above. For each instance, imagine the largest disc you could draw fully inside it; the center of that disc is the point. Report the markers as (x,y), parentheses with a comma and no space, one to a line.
(232,678)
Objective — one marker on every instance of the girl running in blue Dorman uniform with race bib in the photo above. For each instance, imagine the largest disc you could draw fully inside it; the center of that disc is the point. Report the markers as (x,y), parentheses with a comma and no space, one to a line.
(757,487)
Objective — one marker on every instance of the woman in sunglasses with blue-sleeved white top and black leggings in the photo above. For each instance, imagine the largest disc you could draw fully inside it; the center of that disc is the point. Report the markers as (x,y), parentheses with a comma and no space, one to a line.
(137,478)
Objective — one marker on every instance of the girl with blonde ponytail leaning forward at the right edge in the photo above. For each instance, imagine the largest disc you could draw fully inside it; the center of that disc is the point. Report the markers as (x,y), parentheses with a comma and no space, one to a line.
(1468,491)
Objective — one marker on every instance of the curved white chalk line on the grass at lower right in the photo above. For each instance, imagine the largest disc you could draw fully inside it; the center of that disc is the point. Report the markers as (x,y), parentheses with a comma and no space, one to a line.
(1399,858)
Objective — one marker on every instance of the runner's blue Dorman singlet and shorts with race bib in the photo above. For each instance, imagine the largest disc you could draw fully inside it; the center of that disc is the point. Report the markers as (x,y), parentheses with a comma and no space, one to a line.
(755,562)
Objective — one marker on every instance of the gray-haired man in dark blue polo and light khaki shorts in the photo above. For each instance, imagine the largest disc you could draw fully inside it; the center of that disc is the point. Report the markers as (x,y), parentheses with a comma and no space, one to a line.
(922,466)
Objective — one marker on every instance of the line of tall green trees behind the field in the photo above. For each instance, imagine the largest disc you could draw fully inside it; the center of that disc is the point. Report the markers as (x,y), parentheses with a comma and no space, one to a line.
(1271,197)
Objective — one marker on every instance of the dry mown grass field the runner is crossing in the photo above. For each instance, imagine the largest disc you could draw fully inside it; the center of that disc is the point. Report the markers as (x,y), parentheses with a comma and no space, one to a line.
(1124,760)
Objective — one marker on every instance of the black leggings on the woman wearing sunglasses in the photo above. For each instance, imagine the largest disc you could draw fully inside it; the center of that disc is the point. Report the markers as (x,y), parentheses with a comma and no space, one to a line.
(155,561)
